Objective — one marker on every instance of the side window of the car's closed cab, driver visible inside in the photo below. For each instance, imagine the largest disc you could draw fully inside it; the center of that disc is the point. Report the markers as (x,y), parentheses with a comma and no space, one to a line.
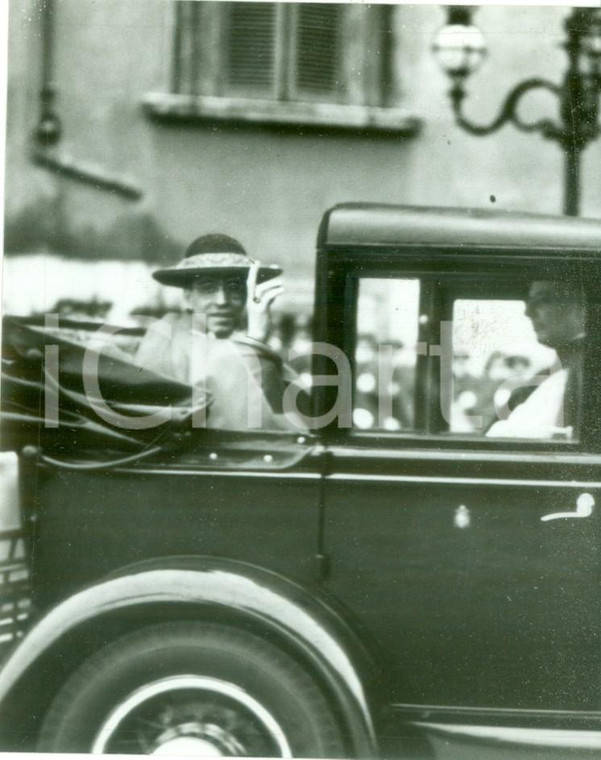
(488,359)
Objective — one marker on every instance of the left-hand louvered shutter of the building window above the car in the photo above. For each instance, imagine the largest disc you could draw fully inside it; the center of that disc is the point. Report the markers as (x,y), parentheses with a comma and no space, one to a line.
(250,46)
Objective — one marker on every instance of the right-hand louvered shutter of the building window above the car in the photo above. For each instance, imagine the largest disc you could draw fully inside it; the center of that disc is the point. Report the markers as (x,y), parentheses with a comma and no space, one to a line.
(318,49)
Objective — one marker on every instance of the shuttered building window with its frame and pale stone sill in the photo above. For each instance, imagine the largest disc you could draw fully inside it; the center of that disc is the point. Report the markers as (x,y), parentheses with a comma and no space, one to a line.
(285,63)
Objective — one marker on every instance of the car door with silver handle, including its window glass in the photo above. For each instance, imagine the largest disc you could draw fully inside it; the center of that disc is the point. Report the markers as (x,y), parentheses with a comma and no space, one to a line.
(473,560)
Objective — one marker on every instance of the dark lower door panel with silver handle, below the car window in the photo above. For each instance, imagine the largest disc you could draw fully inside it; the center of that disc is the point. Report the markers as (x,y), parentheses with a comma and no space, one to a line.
(486,605)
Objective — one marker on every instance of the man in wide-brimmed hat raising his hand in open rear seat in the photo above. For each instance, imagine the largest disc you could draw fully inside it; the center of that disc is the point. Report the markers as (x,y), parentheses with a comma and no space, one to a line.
(218,341)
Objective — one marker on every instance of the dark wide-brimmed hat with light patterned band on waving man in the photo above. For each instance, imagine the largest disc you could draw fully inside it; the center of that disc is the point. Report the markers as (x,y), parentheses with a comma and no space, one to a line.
(213,254)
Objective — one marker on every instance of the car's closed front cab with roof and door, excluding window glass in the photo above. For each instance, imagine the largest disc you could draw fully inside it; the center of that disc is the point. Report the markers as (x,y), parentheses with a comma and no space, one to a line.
(488,607)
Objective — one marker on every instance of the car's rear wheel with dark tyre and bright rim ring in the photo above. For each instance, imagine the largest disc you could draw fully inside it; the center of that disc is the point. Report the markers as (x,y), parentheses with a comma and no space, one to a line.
(192,688)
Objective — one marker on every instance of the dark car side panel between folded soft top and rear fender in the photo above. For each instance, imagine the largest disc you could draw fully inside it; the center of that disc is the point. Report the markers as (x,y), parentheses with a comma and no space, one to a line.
(103,523)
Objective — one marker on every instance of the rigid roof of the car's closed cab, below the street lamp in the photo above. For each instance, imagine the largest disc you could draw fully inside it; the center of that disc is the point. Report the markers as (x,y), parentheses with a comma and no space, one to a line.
(375,225)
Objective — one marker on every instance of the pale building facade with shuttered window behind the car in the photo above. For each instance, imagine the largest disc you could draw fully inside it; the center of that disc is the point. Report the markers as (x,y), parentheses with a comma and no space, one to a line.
(162,120)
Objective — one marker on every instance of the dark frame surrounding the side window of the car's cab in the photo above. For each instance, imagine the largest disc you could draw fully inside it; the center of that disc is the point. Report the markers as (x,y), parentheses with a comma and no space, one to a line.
(347,268)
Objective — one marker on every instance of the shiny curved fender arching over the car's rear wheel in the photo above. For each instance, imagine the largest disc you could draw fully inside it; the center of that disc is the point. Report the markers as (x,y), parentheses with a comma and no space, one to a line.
(277,604)
